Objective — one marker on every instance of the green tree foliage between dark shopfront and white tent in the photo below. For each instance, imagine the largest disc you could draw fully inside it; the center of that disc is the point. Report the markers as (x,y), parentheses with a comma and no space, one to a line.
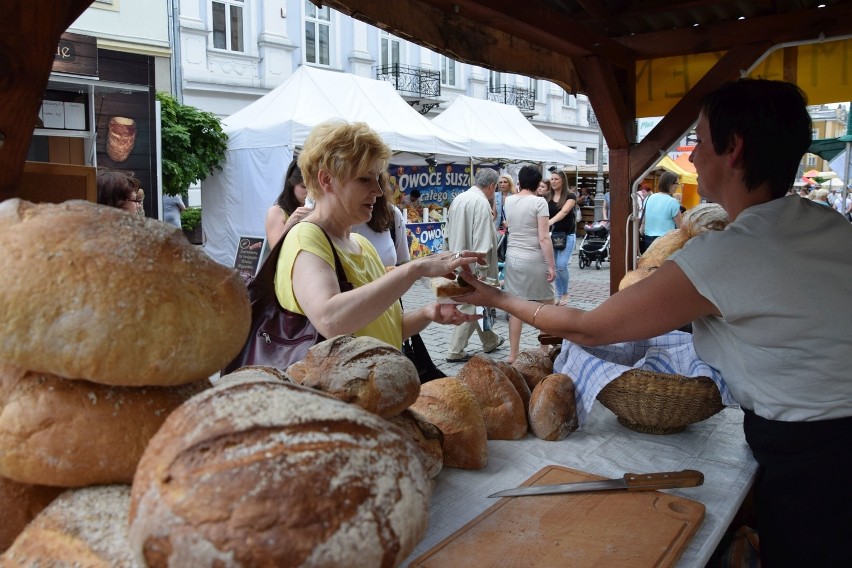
(193,144)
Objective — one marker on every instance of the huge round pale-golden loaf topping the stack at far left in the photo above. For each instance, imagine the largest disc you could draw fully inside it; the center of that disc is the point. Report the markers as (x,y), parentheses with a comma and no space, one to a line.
(90,292)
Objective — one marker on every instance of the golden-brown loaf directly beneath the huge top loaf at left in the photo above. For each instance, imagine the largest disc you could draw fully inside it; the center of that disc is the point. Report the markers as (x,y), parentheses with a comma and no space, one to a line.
(76,433)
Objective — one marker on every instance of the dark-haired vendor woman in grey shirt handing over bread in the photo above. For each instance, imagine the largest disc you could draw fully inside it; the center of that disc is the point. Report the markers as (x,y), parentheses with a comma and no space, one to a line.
(741,289)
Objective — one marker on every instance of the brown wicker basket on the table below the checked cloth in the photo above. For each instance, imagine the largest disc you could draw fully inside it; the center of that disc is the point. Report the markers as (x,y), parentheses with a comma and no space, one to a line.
(658,403)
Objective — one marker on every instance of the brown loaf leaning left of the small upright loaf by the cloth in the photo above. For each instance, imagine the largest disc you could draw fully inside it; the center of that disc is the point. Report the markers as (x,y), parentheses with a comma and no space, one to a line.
(502,407)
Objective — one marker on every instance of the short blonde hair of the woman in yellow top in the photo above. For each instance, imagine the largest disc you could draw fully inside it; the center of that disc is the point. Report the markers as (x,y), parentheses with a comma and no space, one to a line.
(343,149)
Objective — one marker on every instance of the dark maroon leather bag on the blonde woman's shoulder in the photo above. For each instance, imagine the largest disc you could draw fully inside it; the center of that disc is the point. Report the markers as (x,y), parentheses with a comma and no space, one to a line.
(278,337)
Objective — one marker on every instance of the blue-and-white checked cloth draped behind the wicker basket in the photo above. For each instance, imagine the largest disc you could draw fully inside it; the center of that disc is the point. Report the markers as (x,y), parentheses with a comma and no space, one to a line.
(592,368)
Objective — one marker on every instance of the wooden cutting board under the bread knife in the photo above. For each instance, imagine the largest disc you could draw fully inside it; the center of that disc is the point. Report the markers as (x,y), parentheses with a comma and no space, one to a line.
(601,528)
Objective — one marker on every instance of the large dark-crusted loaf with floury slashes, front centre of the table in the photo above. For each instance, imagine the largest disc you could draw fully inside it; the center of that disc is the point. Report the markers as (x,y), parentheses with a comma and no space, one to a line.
(275,474)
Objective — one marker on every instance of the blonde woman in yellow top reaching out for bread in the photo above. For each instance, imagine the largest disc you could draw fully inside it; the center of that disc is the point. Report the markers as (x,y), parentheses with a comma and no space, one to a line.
(340,164)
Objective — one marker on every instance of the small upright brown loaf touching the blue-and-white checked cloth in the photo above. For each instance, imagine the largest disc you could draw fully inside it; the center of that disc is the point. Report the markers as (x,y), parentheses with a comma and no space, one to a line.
(553,408)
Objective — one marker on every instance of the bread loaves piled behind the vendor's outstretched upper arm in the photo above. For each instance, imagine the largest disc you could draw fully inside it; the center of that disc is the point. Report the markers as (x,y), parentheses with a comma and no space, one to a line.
(699,219)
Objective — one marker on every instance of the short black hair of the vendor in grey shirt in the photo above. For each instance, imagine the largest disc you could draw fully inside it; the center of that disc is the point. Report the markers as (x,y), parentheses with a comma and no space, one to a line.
(772,119)
